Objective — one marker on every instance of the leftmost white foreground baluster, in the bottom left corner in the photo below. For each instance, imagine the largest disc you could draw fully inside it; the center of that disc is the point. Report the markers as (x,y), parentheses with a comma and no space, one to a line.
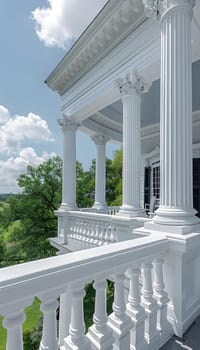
(14,317)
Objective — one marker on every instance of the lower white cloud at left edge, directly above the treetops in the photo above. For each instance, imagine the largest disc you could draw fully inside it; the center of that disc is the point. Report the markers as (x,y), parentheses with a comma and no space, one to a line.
(11,168)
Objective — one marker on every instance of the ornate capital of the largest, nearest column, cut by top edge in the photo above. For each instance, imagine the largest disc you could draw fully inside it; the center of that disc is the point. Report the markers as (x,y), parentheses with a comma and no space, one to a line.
(158,8)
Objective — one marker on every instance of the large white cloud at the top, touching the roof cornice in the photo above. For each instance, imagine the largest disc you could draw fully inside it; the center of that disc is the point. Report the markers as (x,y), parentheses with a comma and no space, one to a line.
(63,21)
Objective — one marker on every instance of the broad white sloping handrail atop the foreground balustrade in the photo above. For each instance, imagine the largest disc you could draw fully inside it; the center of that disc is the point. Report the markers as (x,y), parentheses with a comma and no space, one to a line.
(31,278)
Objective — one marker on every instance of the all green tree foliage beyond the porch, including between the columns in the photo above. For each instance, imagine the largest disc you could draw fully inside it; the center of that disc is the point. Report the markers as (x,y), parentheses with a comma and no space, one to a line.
(34,208)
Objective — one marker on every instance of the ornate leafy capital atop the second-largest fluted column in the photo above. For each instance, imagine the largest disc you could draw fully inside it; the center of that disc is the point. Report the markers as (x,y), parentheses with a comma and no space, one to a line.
(132,83)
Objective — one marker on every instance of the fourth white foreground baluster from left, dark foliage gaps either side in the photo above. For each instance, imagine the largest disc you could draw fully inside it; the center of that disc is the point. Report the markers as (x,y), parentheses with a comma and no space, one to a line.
(100,334)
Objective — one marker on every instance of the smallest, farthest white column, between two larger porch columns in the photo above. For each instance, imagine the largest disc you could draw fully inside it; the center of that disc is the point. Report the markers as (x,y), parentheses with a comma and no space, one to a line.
(100,174)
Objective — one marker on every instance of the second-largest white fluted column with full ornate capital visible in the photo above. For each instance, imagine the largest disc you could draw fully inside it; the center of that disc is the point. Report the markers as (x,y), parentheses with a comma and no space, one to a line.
(131,88)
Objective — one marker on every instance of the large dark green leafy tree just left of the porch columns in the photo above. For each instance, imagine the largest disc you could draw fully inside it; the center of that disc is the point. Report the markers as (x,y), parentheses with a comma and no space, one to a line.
(40,197)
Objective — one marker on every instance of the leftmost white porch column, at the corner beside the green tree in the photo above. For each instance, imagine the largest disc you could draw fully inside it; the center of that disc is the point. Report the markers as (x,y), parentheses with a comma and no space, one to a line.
(69,164)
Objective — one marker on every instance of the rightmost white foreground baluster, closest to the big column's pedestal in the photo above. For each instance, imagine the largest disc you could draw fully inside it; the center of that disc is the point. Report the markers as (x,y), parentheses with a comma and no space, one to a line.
(161,296)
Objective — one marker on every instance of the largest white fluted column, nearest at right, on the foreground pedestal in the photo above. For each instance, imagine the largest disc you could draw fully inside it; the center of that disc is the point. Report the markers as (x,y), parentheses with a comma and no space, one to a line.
(176,192)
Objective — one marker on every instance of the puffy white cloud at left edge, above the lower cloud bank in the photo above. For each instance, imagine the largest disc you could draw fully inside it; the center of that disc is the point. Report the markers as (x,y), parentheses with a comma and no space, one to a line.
(20,128)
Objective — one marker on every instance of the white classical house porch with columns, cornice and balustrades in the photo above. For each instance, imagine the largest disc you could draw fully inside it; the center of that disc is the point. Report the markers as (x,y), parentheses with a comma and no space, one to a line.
(133,77)
